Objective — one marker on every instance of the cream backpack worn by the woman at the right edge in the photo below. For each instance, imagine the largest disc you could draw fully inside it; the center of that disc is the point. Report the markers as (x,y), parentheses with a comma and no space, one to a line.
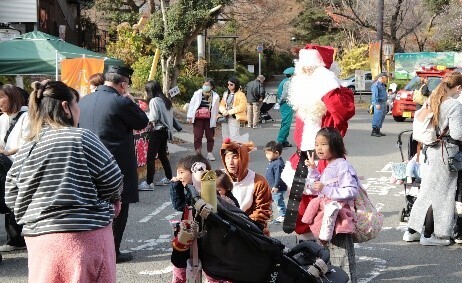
(423,130)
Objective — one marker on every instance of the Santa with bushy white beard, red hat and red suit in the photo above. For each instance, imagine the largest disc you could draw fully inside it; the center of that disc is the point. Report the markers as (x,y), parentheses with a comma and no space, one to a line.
(318,101)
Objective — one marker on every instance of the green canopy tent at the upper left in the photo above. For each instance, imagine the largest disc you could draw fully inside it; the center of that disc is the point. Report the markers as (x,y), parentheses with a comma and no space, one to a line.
(38,53)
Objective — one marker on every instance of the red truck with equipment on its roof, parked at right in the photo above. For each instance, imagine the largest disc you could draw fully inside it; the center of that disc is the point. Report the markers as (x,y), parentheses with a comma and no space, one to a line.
(403,106)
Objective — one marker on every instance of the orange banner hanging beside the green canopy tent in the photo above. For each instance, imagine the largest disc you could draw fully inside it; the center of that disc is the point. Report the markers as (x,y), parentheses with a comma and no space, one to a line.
(76,72)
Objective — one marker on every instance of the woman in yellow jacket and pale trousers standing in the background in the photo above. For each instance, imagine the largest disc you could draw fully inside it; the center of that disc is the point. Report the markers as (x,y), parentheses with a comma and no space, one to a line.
(233,107)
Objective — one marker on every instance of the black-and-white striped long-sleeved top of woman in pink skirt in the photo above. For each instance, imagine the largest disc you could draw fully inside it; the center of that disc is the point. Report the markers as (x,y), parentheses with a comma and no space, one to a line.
(66,184)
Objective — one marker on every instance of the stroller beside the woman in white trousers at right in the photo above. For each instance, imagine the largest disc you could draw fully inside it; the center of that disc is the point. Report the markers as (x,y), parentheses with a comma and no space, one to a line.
(410,189)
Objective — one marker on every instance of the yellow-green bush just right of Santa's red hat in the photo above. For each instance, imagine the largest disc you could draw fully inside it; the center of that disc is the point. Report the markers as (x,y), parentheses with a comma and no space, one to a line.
(355,58)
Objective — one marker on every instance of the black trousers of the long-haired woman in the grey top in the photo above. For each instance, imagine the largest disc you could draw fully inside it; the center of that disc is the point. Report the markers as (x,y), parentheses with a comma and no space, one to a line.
(157,146)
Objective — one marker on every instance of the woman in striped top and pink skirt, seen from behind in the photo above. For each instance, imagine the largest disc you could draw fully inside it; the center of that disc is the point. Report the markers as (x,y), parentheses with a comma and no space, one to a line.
(64,187)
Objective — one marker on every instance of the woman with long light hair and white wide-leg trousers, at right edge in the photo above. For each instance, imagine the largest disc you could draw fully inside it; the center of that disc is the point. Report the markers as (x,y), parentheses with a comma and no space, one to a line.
(434,208)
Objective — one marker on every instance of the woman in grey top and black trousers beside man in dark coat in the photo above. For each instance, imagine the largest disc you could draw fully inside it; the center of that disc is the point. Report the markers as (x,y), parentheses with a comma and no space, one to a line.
(161,117)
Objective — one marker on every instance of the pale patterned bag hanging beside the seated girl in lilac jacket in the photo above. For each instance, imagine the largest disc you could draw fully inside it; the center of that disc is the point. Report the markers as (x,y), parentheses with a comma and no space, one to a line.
(369,220)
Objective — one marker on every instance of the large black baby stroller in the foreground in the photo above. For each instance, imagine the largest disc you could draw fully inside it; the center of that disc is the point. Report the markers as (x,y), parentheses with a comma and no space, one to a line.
(234,248)
